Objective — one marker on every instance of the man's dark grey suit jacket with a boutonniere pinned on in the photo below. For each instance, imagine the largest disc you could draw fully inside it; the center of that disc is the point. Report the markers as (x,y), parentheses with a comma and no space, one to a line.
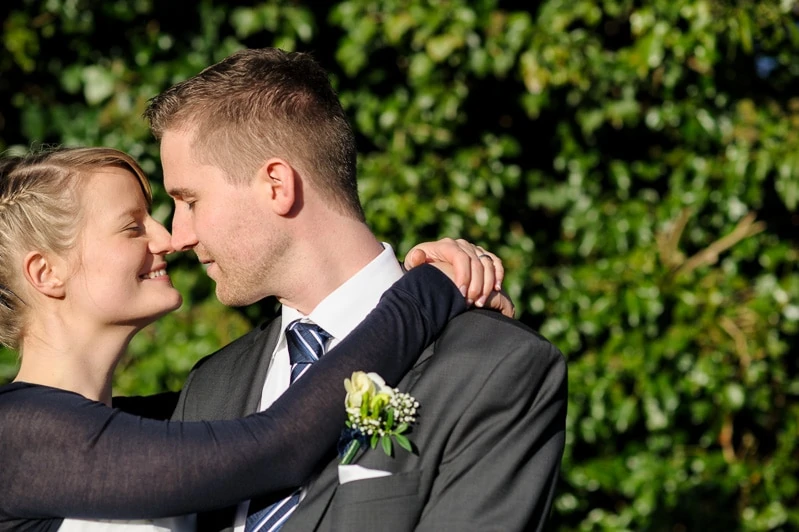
(488,439)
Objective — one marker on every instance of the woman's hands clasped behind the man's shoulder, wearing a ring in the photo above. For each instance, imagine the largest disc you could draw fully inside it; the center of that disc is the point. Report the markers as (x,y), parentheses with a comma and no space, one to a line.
(476,272)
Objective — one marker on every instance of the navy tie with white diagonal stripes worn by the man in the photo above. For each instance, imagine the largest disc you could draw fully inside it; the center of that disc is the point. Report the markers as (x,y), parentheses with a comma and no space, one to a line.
(306,343)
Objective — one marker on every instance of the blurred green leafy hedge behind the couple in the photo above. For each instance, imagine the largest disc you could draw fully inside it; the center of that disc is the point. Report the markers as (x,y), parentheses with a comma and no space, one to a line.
(634,163)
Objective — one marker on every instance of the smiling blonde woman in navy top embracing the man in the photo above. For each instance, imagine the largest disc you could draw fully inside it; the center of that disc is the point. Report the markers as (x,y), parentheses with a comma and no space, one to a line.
(81,271)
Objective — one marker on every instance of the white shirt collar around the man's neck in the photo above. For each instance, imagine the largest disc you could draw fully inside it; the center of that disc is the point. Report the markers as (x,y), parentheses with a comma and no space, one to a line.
(341,311)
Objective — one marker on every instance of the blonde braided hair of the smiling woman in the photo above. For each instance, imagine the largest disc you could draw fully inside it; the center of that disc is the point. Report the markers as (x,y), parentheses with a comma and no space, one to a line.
(40,210)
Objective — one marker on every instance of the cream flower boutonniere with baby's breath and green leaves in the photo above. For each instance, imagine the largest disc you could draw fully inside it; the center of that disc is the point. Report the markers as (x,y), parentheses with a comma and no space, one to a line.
(376,413)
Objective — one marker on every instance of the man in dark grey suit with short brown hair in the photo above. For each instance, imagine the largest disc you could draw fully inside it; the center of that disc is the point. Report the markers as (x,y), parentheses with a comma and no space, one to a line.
(260,160)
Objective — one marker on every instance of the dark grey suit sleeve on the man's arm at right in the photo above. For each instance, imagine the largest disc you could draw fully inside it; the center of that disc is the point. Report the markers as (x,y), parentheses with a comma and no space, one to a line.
(500,469)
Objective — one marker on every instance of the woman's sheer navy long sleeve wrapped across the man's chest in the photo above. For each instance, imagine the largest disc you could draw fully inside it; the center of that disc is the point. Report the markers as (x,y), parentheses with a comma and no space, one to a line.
(62,455)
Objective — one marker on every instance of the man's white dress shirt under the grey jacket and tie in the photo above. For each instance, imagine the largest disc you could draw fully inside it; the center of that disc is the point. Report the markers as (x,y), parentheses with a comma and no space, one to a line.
(338,314)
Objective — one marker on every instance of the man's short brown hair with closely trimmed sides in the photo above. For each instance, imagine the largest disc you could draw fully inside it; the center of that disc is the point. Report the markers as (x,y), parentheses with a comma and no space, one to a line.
(262,103)
